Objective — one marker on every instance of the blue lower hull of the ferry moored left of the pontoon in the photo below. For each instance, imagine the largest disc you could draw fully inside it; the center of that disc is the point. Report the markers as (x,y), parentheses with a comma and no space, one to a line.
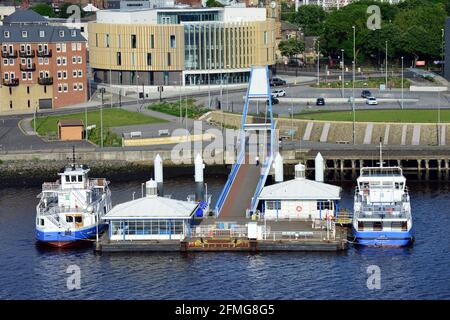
(67,239)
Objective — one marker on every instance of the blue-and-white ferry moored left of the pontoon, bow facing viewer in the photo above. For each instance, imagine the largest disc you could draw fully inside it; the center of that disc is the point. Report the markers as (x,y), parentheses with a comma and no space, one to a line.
(70,209)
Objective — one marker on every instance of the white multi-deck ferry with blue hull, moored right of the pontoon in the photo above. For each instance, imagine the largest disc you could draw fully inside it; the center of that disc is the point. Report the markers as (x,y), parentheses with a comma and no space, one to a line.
(382,209)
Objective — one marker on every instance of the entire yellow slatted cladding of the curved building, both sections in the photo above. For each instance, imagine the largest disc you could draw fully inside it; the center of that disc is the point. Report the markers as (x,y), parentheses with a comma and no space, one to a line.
(244,45)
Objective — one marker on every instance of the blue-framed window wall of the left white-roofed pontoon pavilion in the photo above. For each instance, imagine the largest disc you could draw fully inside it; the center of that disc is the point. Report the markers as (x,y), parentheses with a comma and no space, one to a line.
(146,228)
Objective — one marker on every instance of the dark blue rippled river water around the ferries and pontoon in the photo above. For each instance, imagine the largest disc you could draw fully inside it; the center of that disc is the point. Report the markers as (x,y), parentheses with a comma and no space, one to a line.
(419,272)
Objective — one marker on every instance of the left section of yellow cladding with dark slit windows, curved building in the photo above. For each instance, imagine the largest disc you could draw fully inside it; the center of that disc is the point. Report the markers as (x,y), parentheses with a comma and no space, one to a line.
(119,38)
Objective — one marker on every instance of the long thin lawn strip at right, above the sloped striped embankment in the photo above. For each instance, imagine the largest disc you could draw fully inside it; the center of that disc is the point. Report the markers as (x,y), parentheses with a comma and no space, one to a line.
(382,115)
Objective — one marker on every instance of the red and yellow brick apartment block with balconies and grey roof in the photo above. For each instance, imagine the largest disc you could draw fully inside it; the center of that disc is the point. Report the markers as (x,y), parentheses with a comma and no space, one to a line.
(42,66)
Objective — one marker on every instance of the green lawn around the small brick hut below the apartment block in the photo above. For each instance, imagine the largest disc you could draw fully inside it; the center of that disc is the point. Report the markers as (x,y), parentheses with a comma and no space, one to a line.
(48,126)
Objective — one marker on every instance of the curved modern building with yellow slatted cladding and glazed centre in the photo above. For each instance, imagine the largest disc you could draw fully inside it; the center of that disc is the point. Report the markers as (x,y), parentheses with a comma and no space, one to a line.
(173,46)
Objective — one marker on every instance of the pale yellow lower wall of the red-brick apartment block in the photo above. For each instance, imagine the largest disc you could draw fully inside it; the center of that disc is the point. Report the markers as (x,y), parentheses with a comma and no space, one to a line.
(20,95)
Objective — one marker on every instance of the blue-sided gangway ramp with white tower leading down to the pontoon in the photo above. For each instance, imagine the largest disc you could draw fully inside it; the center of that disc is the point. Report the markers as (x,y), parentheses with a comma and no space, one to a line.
(246,179)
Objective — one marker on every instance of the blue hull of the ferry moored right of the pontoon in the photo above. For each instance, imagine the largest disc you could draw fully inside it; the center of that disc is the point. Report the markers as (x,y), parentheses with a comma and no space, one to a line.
(383,239)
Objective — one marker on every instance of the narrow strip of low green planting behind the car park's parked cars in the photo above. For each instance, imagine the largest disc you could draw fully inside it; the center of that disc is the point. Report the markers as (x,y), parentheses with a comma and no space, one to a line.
(393,82)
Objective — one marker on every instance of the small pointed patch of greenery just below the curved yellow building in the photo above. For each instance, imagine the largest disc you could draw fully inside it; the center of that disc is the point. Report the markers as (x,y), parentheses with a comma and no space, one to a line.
(173,108)
